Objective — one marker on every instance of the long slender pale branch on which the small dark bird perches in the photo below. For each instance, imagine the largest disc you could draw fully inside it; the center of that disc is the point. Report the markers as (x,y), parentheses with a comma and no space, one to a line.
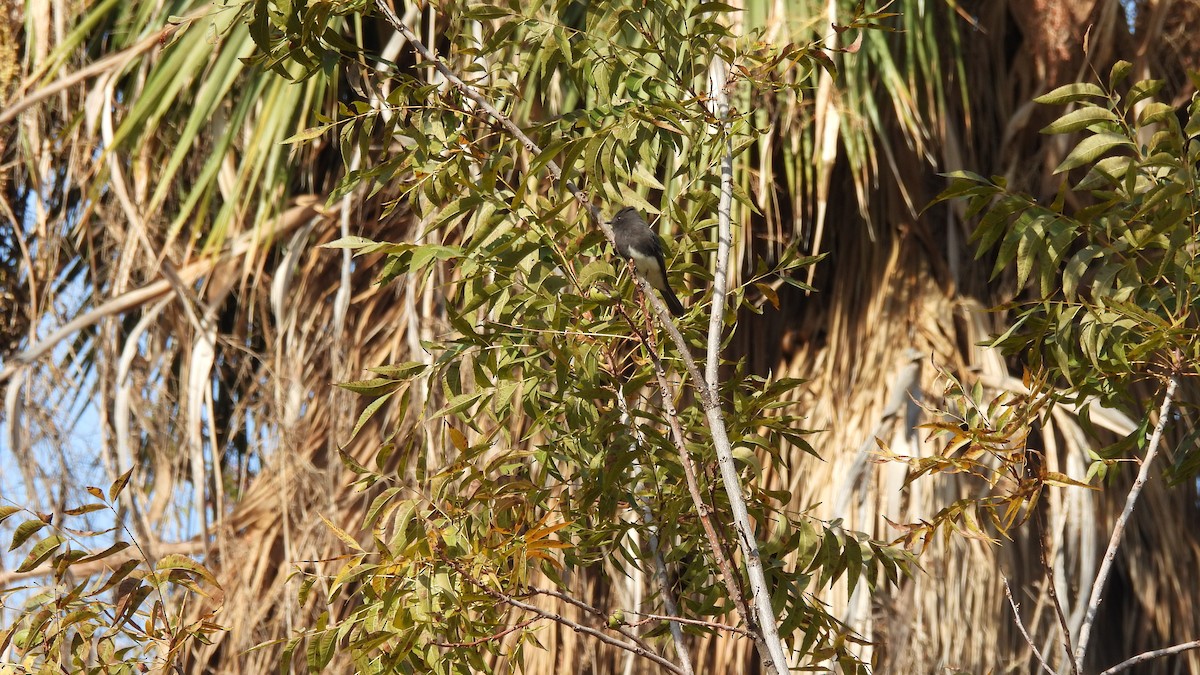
(771,652)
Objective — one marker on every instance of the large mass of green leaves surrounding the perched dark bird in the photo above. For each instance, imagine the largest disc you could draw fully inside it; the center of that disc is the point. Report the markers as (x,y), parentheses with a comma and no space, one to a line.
(541,446)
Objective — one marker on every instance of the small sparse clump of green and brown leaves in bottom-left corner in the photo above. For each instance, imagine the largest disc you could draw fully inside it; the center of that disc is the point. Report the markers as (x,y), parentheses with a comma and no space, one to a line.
(128,622)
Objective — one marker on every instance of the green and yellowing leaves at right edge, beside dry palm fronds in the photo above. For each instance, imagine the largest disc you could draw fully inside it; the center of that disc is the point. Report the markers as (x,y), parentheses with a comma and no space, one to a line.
(1113,267)
